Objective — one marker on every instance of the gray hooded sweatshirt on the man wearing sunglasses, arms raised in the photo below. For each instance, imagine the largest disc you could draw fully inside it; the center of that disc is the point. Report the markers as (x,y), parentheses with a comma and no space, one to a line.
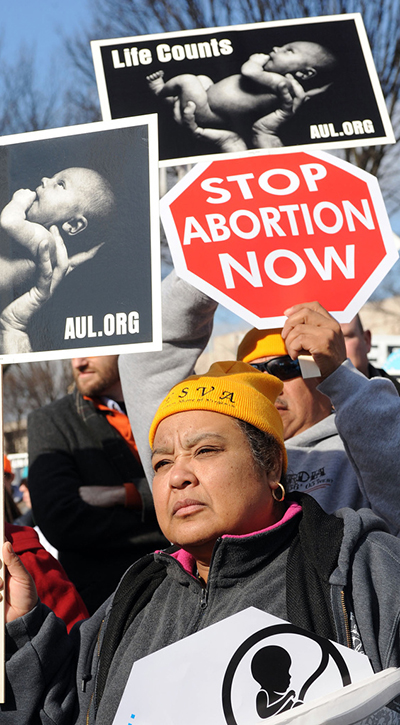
(350,458)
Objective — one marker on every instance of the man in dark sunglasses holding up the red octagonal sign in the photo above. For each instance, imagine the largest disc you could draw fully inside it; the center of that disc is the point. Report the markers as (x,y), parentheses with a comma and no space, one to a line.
(336,454)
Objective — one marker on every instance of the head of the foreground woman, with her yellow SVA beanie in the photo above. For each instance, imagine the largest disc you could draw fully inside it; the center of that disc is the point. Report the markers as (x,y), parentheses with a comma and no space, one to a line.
(218,457)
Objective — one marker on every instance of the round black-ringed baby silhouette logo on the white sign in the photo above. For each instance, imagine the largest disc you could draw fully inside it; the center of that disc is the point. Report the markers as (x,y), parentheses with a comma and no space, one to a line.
(279,668)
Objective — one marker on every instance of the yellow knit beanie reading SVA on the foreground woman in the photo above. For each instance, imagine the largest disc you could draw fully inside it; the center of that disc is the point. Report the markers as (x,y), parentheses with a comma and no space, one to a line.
(230,388)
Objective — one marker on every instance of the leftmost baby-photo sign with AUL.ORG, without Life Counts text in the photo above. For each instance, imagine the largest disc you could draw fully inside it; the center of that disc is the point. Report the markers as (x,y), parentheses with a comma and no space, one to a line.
(98,183)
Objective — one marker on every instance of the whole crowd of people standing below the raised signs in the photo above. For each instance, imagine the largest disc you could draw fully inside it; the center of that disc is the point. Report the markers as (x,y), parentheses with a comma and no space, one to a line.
(243,486)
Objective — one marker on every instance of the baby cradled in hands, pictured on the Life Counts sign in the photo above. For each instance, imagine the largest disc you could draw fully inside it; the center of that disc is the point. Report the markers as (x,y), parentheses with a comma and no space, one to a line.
(241,108)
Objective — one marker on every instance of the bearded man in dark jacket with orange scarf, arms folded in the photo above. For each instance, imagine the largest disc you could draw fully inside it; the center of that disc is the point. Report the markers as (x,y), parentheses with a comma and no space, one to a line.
(89,494)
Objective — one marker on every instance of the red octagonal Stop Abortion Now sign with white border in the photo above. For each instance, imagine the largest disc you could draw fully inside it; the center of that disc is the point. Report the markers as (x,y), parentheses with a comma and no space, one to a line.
(264,232)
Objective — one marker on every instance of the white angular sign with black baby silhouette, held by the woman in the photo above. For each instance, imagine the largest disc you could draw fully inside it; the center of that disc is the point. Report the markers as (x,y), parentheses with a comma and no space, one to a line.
(251,666)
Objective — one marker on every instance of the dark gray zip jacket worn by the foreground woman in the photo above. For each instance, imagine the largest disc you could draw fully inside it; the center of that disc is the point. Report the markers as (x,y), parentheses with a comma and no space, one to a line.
(53,676)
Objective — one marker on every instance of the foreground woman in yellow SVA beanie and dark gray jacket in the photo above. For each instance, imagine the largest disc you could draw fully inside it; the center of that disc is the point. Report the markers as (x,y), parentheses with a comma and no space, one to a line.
(218,456)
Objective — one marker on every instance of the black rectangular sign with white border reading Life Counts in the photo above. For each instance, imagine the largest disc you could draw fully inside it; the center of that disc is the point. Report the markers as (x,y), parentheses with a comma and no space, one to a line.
(329,60)
